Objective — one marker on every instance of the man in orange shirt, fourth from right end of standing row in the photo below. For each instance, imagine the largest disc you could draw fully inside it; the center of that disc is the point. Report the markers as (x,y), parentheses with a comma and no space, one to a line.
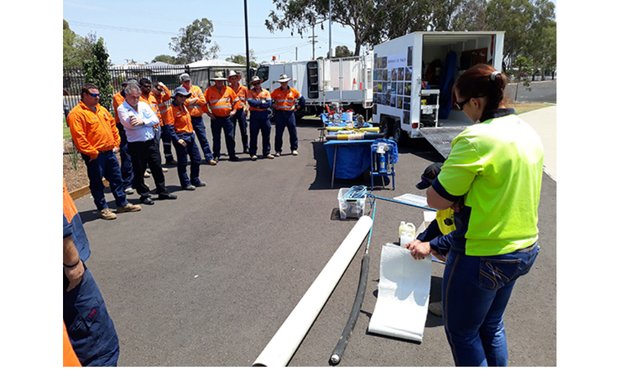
(221,101)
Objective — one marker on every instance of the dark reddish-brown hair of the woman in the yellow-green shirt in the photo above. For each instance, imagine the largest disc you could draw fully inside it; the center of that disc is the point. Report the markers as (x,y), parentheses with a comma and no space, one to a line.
(482,80)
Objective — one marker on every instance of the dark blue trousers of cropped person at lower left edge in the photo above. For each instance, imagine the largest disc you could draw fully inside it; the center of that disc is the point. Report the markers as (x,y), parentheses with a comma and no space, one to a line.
(90,329)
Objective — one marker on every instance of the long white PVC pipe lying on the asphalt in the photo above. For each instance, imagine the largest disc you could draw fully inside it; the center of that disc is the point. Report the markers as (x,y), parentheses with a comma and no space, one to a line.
(287,339)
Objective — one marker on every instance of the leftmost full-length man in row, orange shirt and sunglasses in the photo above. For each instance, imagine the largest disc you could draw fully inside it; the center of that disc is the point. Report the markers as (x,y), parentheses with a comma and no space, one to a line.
(95,135)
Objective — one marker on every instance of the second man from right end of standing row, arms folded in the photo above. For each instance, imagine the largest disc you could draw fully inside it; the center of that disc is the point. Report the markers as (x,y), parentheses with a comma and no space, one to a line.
(259,101)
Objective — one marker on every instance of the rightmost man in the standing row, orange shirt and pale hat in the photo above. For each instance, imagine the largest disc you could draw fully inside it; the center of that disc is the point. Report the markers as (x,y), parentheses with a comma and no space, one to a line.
(285,101)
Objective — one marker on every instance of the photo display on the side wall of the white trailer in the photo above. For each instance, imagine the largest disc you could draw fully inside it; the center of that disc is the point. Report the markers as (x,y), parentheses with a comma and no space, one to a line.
(392,82)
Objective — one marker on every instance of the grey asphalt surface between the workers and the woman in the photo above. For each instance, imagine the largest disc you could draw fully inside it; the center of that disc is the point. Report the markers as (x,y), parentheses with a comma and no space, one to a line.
(207,279)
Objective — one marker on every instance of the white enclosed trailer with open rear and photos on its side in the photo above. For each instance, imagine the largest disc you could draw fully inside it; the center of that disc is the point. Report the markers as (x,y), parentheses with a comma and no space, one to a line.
(413,76)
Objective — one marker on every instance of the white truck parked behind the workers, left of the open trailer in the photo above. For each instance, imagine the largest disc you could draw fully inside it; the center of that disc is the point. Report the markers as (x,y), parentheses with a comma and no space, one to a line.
(346,81)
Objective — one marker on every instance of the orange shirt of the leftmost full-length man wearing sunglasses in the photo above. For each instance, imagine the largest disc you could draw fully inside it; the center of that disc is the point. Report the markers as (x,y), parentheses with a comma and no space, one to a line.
(93,132)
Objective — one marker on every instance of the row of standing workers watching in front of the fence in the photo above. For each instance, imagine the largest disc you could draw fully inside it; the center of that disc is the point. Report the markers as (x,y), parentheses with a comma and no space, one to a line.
(146,113)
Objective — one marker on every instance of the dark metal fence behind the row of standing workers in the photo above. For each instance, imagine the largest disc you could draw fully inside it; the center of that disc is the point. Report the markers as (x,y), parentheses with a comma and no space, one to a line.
(74,78)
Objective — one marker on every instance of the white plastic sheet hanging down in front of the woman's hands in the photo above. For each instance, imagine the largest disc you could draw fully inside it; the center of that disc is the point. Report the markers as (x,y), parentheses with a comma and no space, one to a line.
(403,295)
